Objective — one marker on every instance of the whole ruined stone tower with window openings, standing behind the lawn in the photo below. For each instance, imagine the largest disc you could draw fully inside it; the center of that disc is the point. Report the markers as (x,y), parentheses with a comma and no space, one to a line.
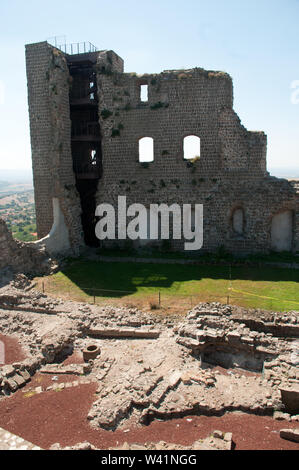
(88,119)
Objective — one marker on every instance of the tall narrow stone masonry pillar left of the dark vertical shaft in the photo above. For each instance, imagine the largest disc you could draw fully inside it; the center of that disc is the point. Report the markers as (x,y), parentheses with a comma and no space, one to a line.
(50,127)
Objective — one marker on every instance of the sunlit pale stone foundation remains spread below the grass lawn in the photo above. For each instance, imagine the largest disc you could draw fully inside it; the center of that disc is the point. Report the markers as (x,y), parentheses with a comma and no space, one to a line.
(221,363)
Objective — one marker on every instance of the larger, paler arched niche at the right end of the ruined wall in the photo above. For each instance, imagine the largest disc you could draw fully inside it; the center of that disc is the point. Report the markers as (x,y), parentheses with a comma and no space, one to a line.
(282,231)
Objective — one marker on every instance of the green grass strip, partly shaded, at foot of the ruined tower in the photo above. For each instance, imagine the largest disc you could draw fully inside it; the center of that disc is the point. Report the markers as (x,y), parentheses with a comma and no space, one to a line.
(269,288)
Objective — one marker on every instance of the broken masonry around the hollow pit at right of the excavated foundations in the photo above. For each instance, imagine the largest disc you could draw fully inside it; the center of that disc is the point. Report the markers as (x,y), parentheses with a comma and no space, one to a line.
(223,340)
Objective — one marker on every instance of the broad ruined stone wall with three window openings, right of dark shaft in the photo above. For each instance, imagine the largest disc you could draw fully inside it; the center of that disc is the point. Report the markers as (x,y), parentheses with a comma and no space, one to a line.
(230,174)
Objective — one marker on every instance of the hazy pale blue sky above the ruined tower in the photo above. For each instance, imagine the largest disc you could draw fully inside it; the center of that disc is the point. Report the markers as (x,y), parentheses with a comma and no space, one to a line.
(255,41)
